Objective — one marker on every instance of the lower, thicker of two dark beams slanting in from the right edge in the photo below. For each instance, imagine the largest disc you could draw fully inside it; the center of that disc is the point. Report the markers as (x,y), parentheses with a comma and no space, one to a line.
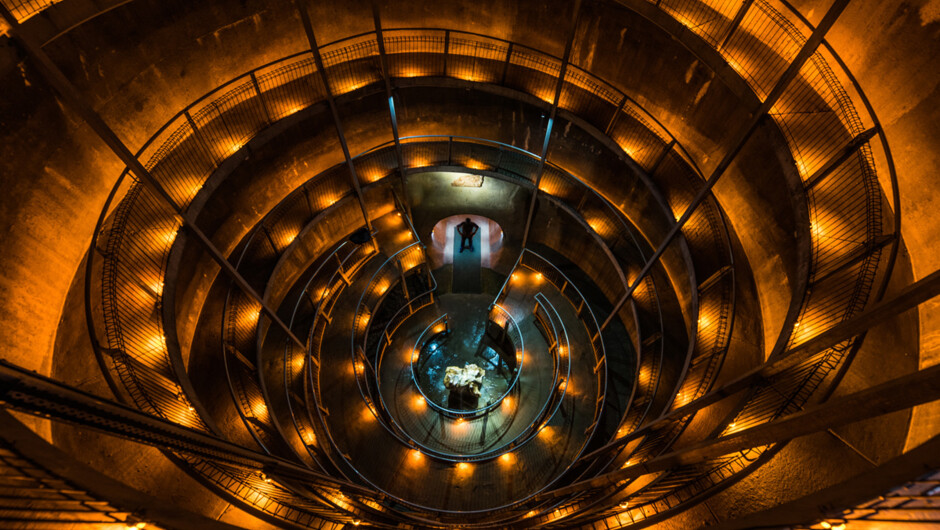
(897,394)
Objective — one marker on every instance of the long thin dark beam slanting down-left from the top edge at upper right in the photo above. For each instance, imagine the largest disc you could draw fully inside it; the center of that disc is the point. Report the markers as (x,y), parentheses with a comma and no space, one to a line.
(808,49)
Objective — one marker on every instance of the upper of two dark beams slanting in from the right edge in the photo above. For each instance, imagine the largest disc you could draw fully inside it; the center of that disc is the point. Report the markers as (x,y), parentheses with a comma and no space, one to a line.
(908,298)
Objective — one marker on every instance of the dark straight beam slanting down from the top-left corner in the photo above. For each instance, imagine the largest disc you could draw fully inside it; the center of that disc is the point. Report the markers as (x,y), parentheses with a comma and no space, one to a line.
(74,101)
